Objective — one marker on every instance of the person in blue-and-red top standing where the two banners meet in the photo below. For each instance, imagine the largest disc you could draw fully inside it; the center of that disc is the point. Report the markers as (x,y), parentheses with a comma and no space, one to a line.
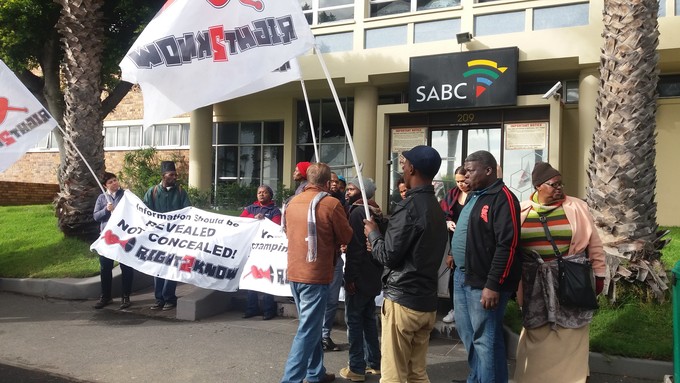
(263,208)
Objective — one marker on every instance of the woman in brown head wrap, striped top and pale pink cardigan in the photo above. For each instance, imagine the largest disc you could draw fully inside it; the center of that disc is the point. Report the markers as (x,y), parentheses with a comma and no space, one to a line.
(553,345)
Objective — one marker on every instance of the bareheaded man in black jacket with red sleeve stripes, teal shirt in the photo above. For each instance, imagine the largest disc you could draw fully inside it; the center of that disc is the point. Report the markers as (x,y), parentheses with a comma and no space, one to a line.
(485,250)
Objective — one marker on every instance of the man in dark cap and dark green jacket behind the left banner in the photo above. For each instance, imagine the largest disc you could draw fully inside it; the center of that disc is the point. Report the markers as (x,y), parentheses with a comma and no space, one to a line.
(162,198)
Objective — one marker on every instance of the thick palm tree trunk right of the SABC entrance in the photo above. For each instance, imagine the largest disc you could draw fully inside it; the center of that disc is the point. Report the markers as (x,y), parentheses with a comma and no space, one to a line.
(622,174)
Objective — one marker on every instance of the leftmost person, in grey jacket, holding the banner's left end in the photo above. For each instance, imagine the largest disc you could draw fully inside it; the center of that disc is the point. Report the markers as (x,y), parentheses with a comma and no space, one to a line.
(103,207)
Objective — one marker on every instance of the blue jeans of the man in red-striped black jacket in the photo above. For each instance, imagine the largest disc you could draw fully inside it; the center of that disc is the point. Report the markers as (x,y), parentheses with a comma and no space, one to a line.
(481,332)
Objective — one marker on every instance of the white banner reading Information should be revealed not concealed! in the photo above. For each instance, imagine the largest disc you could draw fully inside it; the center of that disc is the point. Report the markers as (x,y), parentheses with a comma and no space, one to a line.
(189,245)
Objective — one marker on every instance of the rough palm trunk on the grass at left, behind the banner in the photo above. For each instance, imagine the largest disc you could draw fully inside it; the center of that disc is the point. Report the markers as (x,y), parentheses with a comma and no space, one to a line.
(80,26)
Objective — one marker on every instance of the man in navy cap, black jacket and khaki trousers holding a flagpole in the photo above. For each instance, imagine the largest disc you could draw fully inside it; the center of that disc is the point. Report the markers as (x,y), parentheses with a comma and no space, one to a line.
(411,251)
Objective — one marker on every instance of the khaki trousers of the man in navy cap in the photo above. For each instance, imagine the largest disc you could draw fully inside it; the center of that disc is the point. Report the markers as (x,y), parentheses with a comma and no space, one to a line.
(405,338)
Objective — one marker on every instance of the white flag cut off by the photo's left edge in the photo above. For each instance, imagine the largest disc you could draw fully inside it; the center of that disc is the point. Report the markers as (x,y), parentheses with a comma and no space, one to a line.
(23,119)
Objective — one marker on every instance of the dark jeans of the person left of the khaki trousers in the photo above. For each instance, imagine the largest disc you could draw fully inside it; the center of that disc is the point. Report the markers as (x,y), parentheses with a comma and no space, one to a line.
(362,333)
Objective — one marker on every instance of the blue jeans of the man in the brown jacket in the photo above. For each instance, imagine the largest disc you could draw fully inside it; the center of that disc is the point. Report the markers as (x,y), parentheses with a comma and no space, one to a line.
(306,353)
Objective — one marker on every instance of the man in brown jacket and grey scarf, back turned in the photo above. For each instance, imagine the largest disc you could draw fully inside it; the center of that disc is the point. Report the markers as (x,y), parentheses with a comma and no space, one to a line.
(316,226)
